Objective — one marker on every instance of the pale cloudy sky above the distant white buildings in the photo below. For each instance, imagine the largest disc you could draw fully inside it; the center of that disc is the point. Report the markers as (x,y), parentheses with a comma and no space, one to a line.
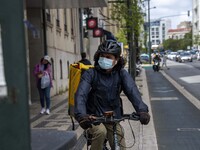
(169,8)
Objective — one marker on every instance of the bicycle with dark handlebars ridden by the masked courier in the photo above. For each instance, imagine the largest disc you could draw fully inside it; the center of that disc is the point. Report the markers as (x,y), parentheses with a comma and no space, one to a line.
(109,118)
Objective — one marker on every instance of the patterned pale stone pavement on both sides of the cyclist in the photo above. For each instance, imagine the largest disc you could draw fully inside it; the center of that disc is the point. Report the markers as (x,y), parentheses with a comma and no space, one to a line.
(59,120)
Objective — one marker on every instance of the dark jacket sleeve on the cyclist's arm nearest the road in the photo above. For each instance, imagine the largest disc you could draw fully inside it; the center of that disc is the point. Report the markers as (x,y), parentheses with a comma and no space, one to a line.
(131,91)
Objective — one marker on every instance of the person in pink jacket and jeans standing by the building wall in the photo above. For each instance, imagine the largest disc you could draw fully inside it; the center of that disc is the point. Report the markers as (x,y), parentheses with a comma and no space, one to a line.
(41,69)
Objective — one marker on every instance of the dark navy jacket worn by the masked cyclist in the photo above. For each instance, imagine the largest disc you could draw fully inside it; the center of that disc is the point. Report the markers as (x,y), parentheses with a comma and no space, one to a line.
(99,92)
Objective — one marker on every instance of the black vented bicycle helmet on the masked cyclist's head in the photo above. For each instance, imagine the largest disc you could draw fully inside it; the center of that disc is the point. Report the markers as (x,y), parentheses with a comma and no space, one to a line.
(110,47)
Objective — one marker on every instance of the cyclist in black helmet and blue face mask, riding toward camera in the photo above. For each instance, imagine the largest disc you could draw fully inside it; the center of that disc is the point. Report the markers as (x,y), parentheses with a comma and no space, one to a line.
(99,92)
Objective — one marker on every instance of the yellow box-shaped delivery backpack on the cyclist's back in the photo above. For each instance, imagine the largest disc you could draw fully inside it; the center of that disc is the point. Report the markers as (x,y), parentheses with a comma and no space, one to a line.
(76,71)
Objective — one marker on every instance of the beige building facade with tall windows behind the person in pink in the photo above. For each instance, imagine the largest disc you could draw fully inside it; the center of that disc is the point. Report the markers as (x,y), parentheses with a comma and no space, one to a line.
(57,31)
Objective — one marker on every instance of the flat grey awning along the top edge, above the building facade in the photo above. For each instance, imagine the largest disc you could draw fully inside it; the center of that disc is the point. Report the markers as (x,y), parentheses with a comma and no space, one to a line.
(60,4)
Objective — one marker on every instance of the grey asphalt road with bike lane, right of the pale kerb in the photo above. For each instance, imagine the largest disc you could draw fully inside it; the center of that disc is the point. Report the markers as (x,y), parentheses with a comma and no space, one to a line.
(176,119)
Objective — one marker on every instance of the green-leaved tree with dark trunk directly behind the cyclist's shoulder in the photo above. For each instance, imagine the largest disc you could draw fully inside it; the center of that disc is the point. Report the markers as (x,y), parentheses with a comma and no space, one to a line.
(129,16)
